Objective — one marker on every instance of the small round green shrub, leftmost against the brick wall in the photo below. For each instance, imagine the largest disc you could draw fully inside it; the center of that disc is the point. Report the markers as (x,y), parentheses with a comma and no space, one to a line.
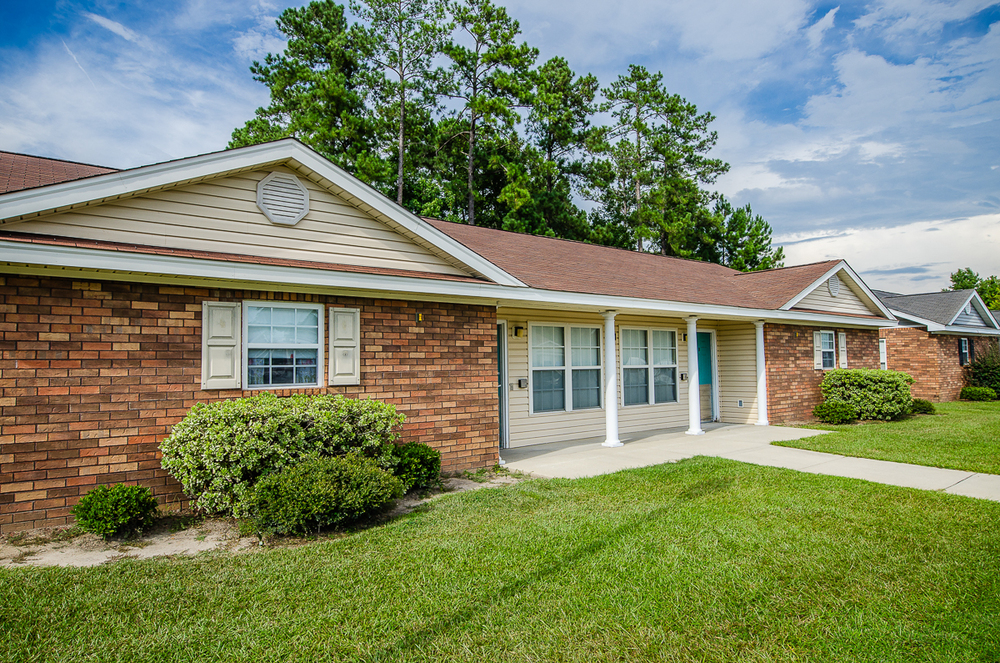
(112,510)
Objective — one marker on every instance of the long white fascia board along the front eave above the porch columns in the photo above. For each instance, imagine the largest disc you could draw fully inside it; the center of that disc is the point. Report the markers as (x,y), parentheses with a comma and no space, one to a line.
(119,264)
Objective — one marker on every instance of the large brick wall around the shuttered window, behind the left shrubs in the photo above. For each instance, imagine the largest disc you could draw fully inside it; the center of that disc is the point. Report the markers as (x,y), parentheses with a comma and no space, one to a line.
(93,375)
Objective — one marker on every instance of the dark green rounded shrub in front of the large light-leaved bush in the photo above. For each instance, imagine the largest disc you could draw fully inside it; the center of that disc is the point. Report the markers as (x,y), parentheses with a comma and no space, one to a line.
(320,492)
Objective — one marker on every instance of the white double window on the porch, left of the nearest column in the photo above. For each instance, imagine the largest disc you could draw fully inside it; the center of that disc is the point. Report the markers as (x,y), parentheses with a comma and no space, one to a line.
(551,372)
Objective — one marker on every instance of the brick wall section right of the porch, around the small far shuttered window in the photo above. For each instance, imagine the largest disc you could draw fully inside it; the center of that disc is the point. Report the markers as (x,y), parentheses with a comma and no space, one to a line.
(792,382)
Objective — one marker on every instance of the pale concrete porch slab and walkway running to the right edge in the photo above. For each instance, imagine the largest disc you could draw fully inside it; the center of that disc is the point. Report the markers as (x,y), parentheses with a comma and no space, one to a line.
(750,444)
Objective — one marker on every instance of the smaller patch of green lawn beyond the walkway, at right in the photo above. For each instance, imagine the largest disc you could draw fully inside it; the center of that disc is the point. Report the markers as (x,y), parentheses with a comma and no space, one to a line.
(961,436)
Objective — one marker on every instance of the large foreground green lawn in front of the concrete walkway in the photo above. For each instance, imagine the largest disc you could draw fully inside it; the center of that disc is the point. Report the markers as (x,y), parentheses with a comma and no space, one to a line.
(702,560)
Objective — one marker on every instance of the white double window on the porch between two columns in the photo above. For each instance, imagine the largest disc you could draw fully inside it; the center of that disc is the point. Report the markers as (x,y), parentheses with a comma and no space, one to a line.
(649,366)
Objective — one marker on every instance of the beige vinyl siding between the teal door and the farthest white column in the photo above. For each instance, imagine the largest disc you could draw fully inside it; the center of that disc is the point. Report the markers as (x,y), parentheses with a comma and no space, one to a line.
(737,356)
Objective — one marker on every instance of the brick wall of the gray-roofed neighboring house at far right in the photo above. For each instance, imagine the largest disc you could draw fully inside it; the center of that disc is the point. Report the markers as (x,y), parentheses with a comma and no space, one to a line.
(931,359)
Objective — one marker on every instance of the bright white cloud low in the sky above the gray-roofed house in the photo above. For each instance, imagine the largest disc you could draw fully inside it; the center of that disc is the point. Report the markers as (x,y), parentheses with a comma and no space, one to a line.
(910,258)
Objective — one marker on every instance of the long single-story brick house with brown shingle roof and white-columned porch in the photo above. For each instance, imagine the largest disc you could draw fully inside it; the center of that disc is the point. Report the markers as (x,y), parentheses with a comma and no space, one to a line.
(128,296)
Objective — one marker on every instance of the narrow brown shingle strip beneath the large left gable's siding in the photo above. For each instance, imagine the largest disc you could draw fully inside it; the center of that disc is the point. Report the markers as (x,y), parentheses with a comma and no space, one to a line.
(30,238)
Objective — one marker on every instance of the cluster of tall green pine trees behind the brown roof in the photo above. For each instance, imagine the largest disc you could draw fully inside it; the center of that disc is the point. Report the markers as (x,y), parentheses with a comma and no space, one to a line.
(423,100)
